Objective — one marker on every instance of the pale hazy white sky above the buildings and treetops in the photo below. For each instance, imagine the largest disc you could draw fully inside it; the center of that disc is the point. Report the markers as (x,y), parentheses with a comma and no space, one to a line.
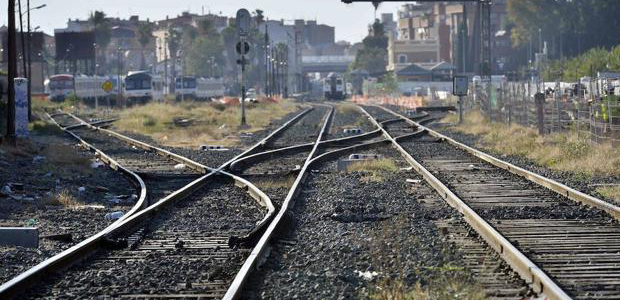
(350,20)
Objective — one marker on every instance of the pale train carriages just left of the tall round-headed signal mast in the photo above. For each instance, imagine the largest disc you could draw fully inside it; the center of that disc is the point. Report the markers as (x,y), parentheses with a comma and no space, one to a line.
(193,87)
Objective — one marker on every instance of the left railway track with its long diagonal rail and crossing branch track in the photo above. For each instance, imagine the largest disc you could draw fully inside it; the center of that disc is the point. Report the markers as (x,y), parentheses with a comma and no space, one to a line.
(146,235)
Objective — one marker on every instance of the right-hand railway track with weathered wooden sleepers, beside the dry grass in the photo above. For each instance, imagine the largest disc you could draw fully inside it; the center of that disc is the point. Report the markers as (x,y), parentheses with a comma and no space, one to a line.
(564,249)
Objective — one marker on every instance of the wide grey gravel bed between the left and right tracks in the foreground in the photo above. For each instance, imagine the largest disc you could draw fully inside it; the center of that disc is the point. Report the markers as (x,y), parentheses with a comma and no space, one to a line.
(343,224)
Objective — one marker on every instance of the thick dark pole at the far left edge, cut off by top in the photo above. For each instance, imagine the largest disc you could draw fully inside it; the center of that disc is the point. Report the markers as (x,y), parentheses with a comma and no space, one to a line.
(10,126)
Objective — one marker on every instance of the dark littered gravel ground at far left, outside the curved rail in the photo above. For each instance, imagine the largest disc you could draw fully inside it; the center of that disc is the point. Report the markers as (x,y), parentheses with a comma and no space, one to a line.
(48,165)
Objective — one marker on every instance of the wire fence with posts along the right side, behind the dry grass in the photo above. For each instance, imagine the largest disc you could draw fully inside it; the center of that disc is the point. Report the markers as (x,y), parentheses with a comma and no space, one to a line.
(563,109)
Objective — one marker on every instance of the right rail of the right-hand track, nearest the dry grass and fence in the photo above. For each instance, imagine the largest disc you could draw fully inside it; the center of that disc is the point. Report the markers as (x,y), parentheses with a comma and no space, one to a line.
(551,184)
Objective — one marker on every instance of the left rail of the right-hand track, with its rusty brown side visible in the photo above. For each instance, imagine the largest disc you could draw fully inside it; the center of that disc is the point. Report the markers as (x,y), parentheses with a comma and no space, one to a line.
(530,272)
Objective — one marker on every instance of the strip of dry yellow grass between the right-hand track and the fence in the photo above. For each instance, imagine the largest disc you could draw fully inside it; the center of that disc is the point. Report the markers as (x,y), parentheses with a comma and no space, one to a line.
(559,151)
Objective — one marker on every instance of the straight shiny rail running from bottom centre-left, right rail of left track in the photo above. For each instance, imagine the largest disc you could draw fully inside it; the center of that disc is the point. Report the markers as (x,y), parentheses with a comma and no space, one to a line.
(289,202)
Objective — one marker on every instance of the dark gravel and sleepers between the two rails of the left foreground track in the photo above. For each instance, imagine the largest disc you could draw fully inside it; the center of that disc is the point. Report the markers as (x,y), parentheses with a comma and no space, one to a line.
(183,250)
